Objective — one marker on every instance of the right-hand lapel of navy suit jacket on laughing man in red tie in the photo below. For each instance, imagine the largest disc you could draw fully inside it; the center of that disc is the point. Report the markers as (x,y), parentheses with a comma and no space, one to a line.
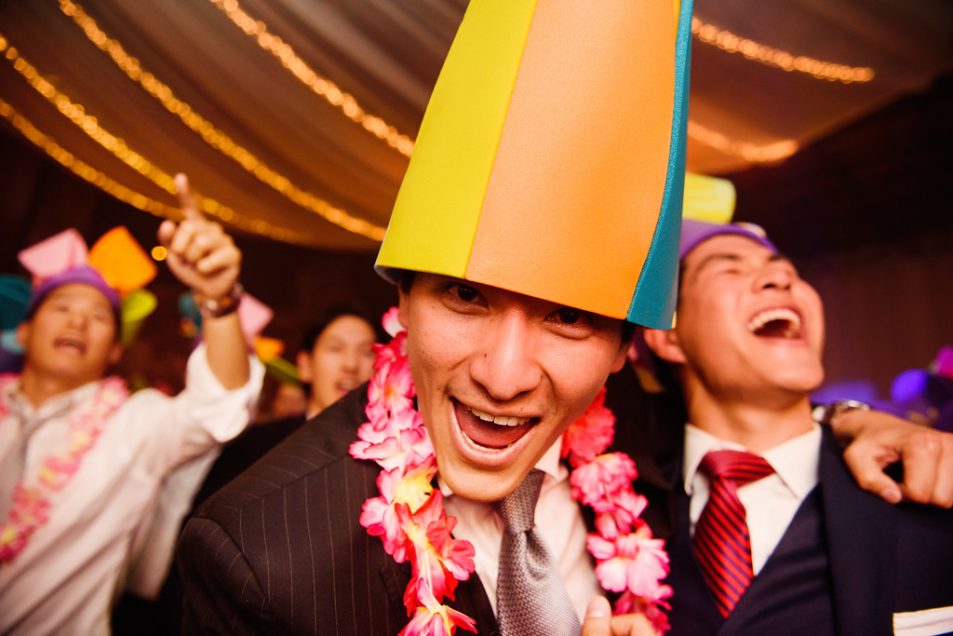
(861,538)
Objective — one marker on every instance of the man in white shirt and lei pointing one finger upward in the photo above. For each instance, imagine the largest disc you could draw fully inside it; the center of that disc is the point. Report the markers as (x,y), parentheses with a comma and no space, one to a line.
(82,460)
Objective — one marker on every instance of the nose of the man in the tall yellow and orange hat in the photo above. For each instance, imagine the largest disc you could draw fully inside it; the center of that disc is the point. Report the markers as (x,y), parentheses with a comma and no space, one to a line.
(505,364)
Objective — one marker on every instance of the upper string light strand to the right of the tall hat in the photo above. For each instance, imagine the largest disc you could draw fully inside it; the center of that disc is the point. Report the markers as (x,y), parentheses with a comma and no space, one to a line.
(731,43)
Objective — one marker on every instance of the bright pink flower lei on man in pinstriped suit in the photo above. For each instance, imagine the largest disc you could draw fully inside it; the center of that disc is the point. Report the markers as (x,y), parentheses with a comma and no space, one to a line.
(409,516)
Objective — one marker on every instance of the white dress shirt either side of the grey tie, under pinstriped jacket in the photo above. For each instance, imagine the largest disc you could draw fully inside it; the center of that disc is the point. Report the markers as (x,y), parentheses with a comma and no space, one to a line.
(558,520)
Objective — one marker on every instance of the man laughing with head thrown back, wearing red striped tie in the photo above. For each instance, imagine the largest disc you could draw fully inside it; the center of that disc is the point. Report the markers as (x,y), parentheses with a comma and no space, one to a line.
(792,544)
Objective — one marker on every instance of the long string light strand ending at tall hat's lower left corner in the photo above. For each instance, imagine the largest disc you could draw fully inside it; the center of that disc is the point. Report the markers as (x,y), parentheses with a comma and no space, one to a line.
(212,135)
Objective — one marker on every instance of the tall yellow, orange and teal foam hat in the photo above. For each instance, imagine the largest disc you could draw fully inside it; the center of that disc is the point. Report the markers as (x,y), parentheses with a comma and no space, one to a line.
(551,159)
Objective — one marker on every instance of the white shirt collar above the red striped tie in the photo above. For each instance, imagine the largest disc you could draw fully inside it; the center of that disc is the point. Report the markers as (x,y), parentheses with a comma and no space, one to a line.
(794,461)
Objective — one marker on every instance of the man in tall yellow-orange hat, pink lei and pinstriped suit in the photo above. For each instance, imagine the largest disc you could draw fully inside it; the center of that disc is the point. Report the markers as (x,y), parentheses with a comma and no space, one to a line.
(538,217)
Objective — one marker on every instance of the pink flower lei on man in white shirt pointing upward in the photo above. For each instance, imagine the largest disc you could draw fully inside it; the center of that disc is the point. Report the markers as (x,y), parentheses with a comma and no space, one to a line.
(31,502)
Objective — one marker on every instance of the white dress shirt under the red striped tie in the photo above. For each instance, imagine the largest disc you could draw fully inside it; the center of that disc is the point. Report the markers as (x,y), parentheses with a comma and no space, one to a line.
(770,502)
